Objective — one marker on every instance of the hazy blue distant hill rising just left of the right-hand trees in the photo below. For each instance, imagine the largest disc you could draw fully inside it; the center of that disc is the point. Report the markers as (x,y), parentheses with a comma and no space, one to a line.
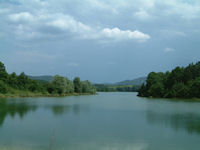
(137,81)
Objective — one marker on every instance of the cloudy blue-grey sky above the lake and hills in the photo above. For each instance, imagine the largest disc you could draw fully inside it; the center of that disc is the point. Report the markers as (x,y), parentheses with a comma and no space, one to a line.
(99,40)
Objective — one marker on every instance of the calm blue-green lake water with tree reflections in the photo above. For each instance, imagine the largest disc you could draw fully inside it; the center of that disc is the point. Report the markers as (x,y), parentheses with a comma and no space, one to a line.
(107,121)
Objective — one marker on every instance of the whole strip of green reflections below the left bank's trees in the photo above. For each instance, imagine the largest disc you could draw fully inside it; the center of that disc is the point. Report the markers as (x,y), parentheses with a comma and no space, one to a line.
(21,107)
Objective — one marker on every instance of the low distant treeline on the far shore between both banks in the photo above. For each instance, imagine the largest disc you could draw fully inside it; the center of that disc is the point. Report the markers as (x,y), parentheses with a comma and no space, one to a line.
(116,88)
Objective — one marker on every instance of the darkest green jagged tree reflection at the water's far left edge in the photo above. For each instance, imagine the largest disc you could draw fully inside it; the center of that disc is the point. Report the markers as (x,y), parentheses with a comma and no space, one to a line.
(14,108)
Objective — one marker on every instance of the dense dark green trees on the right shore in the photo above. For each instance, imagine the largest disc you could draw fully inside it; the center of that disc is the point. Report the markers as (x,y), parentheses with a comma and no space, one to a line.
(180,82)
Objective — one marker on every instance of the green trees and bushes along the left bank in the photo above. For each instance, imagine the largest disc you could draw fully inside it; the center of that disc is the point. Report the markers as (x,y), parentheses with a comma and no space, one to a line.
(14,84)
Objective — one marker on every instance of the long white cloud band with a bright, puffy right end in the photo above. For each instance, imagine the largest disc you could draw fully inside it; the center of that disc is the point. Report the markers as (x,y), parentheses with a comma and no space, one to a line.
(37,26)
